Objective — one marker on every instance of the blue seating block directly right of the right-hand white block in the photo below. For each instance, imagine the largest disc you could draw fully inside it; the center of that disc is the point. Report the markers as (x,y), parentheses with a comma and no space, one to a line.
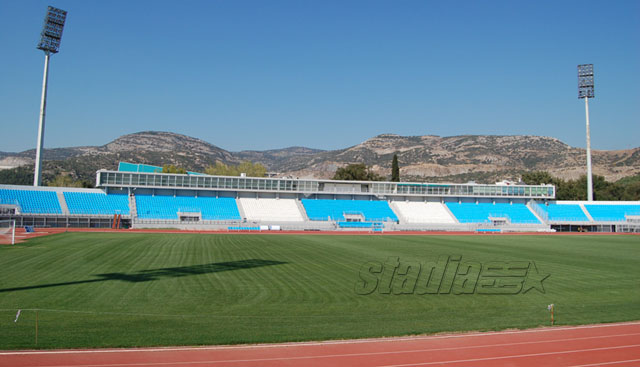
(481,212)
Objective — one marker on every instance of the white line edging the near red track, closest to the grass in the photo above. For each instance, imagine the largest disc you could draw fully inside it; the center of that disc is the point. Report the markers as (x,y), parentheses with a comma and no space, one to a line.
(321,343)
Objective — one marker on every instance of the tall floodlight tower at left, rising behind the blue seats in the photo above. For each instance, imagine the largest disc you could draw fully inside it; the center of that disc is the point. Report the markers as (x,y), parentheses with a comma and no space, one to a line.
(49,43)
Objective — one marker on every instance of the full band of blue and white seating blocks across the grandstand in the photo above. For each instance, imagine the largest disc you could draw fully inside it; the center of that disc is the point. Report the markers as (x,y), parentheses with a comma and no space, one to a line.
(94,202)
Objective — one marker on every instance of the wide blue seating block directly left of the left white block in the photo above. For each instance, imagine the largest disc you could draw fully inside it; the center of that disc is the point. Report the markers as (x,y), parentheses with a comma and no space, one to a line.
(167,207)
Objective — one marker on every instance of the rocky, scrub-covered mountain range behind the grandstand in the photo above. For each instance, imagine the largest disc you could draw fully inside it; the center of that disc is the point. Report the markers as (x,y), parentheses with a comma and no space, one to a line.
(484,158)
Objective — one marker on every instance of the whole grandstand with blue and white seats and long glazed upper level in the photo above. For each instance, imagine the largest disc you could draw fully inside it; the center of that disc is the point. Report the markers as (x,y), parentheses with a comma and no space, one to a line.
(139,196)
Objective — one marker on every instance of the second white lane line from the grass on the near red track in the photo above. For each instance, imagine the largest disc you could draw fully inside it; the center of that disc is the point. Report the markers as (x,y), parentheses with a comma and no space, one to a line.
(364,354)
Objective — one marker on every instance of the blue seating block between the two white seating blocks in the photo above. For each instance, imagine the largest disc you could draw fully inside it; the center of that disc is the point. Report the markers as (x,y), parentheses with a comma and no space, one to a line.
(335,209)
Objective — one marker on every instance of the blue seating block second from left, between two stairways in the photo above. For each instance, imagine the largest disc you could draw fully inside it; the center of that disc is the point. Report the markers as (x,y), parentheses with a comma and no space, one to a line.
(94,203)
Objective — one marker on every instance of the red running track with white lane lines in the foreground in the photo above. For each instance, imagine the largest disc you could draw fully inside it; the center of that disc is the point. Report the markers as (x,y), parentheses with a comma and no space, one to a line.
(616,345)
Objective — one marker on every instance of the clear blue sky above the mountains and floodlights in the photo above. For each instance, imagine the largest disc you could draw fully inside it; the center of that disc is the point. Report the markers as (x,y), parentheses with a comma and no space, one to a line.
(323,74)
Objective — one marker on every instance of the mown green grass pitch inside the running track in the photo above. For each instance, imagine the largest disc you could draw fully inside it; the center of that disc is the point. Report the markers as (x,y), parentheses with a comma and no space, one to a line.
(132,289)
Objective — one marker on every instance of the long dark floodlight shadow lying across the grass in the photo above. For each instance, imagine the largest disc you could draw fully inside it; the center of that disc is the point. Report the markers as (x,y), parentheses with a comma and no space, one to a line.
(155,274)
